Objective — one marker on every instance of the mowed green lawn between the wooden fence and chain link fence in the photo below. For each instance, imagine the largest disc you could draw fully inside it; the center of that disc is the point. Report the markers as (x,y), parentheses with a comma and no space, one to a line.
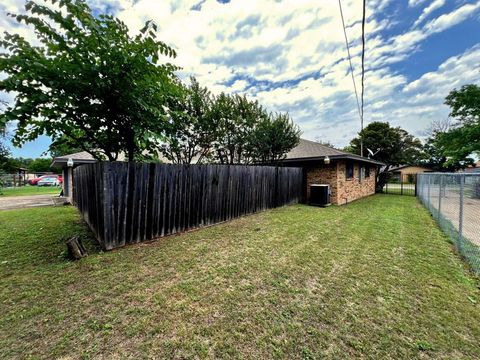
(372,279)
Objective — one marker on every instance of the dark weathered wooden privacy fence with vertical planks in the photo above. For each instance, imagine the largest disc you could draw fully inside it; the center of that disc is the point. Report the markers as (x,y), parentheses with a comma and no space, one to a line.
(126,203)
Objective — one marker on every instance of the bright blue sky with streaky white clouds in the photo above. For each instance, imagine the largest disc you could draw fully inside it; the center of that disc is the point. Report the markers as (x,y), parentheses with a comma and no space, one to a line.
(291,56)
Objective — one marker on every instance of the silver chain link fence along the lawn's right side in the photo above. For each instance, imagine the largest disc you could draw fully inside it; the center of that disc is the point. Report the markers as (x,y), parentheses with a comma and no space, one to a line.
(453,199)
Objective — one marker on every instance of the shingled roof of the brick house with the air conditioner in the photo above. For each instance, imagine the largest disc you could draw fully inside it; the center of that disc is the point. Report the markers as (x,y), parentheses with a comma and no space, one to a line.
(307,150)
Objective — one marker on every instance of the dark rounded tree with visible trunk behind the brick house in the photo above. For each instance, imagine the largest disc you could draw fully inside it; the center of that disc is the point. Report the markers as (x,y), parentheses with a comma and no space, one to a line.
(395,147)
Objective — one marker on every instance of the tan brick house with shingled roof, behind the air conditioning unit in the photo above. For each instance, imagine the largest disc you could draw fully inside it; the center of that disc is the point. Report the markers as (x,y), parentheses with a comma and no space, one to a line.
(350,176)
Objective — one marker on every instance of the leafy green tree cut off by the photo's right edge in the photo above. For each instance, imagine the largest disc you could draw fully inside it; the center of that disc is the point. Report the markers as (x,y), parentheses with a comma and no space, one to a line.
(463,138)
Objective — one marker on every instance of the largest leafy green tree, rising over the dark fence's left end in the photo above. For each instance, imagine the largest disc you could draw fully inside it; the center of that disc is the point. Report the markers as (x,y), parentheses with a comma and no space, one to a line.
(88,81)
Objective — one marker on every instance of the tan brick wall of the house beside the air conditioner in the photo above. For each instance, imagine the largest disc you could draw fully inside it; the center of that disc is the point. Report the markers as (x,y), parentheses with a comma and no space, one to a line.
(342,190)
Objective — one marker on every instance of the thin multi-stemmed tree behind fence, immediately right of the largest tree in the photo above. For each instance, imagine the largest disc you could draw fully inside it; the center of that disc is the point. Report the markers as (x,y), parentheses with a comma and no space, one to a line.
(192,131)
